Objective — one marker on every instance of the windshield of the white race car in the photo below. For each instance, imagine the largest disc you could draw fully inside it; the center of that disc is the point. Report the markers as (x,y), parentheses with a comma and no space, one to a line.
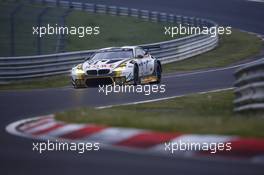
(113,54)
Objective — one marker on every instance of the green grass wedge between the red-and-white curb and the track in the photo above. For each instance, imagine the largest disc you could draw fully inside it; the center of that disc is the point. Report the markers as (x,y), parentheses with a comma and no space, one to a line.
(208,113)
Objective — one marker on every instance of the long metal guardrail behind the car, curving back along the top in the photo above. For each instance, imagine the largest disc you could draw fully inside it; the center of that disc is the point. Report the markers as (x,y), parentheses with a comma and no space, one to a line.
(25,67)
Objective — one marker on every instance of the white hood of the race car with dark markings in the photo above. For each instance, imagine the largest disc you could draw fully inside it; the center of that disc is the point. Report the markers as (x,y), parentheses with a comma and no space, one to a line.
(103,64)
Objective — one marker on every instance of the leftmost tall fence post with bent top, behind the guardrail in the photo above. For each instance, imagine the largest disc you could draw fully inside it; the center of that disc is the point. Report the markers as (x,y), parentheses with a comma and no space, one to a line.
(12,29)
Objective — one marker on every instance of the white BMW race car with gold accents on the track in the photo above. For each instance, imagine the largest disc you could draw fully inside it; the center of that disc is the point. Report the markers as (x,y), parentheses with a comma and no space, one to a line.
(117,65)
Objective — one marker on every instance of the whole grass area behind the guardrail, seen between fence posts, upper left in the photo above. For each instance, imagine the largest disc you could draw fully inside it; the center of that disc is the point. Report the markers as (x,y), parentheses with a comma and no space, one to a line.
(114,31)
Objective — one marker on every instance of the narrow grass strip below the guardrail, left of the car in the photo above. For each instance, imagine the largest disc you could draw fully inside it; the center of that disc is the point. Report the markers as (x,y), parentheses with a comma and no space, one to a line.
(40,83)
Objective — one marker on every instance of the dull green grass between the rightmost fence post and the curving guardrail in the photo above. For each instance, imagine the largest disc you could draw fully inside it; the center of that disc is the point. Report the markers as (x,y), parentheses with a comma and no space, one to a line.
(114,31)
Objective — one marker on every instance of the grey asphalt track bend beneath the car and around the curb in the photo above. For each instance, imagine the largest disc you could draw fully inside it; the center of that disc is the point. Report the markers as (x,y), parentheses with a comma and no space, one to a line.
(17,151)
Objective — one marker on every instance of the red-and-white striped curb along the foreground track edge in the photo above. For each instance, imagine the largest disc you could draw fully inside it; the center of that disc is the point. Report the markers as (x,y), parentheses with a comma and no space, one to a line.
(251,149)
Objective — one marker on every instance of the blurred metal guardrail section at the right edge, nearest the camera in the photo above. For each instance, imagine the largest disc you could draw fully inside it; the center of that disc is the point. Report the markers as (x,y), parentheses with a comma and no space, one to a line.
(249,87)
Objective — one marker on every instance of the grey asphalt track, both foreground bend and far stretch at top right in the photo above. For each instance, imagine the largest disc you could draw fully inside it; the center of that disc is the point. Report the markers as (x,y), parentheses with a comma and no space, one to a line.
(18,158)
